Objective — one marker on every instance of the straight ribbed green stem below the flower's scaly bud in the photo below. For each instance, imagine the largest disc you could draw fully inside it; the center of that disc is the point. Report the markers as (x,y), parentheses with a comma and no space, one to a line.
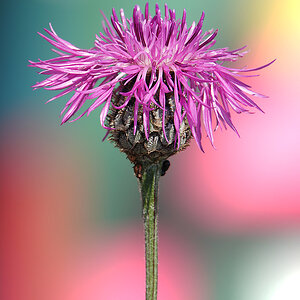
(149,193)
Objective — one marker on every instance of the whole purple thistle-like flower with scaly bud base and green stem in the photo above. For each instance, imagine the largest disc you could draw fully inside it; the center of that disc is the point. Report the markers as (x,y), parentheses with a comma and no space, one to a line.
(159,84)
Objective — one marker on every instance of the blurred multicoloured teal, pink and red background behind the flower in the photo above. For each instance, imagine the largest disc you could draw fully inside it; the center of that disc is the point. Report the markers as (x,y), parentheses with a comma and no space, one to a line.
(71,226)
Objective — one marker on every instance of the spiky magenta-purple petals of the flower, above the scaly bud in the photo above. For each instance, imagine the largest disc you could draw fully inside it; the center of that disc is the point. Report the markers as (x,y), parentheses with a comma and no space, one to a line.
(154,56)
